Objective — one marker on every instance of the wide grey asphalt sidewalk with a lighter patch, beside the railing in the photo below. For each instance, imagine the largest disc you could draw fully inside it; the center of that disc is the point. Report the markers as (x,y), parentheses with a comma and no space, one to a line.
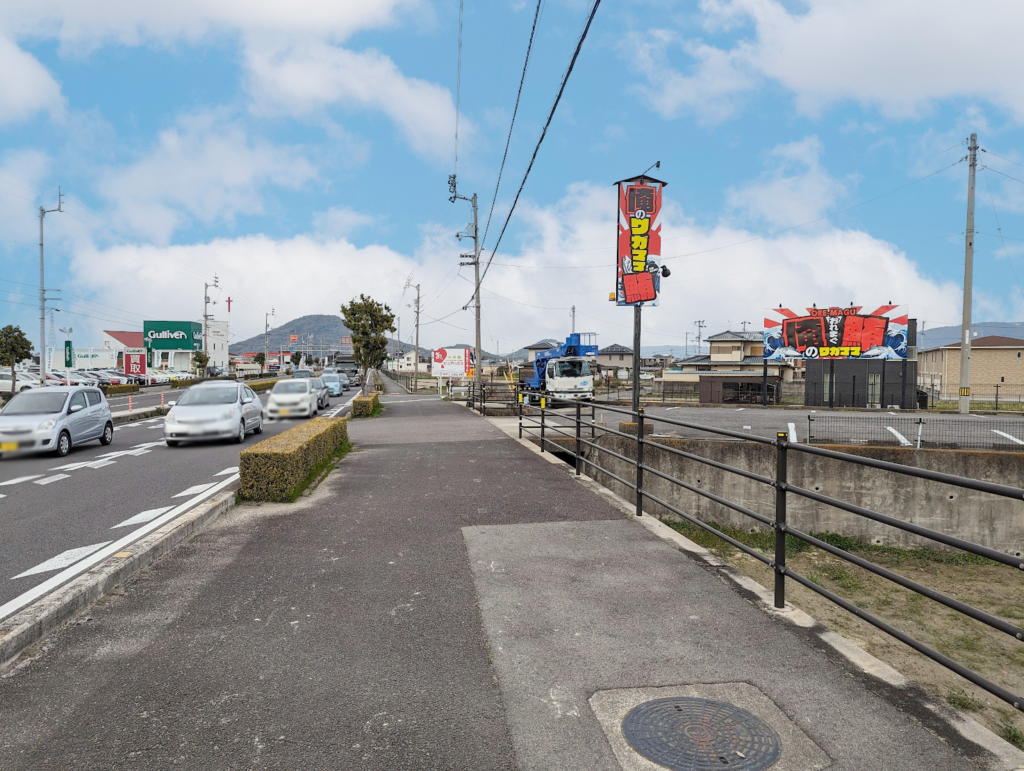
(446,599)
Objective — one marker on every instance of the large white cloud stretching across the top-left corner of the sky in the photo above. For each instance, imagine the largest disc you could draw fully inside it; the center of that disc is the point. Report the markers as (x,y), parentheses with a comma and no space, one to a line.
(294,66)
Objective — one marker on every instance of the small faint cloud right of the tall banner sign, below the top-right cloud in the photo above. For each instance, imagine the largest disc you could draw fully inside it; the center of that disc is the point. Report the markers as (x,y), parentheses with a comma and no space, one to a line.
(798,190)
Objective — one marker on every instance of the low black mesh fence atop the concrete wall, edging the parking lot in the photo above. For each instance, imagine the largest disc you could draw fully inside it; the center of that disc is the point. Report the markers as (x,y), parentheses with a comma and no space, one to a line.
(950,434)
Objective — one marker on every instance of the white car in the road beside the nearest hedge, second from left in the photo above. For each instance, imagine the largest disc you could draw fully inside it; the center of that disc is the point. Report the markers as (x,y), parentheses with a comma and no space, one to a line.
(214,411)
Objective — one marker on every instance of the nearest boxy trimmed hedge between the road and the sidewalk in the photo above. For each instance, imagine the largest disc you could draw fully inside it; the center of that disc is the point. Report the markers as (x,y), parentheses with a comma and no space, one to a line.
(281,467)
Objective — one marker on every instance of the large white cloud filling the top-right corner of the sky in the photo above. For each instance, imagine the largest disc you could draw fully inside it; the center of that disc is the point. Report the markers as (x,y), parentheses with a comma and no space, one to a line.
(900,58)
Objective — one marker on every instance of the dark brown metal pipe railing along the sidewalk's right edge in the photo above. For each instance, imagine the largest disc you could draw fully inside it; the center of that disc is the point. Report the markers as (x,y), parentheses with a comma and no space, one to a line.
(566,419)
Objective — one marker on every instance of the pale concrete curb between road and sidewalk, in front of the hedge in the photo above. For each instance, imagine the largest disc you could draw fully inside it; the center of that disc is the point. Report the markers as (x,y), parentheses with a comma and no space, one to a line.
(53,612)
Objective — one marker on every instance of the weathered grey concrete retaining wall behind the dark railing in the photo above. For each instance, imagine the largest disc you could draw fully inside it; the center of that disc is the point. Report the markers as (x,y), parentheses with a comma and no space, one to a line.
(980,518)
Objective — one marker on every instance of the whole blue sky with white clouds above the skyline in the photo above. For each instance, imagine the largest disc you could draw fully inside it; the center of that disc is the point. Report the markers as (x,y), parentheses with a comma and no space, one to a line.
(302,153)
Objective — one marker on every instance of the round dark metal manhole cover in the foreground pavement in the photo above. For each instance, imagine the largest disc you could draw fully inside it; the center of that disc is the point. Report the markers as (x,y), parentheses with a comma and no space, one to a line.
(696,735)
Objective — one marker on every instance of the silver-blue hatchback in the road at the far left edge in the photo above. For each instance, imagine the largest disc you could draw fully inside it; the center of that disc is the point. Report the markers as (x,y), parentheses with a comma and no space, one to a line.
(55,419)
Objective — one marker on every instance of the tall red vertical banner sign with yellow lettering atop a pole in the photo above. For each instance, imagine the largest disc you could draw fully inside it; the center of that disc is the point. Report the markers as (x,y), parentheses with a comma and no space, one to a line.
(637,280)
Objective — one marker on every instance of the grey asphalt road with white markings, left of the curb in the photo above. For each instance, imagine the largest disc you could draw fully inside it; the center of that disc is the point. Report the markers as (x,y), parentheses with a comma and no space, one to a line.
(56,511)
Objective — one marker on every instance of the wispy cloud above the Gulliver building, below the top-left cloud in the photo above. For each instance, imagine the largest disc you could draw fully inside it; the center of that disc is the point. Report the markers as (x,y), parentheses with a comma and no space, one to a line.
(204,170)
